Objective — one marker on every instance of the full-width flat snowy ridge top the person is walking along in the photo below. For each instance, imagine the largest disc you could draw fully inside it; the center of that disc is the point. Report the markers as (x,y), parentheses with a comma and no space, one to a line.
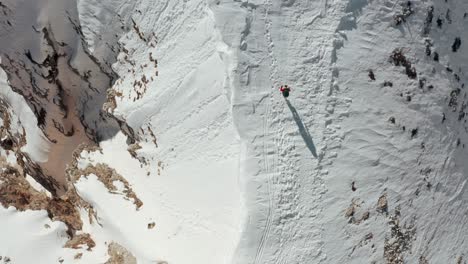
(281,43)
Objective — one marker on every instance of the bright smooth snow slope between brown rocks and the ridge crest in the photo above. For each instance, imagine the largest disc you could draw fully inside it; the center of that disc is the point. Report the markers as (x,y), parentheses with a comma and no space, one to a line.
(188,139)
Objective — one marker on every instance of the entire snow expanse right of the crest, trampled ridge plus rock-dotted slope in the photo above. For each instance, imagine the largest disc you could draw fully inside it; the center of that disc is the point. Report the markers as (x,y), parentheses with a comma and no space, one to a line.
(365,160)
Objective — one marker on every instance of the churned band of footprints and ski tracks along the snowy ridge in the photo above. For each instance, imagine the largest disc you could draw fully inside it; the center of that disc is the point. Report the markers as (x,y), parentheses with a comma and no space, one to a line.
(287,211)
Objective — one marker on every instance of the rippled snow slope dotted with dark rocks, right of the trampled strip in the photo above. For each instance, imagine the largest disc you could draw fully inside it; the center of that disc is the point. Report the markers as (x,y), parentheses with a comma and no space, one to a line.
(402,168)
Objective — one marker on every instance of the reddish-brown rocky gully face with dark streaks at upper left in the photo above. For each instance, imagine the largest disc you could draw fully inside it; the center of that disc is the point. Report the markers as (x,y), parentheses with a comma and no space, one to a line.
(49,64)
